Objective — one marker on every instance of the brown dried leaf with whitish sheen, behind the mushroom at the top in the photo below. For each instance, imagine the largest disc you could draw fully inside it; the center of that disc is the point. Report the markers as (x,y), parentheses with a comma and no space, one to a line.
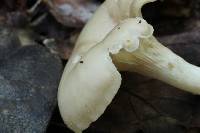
(72,13)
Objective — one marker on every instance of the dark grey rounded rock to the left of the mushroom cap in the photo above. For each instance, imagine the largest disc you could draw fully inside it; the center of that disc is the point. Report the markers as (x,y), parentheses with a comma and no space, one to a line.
(28,88)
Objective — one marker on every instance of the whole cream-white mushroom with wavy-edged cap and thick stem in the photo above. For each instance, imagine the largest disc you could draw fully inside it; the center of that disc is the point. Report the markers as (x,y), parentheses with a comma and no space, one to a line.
(117,37)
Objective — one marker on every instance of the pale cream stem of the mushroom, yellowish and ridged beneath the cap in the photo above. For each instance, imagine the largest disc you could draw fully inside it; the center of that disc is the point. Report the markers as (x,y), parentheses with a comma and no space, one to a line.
(155,60)
